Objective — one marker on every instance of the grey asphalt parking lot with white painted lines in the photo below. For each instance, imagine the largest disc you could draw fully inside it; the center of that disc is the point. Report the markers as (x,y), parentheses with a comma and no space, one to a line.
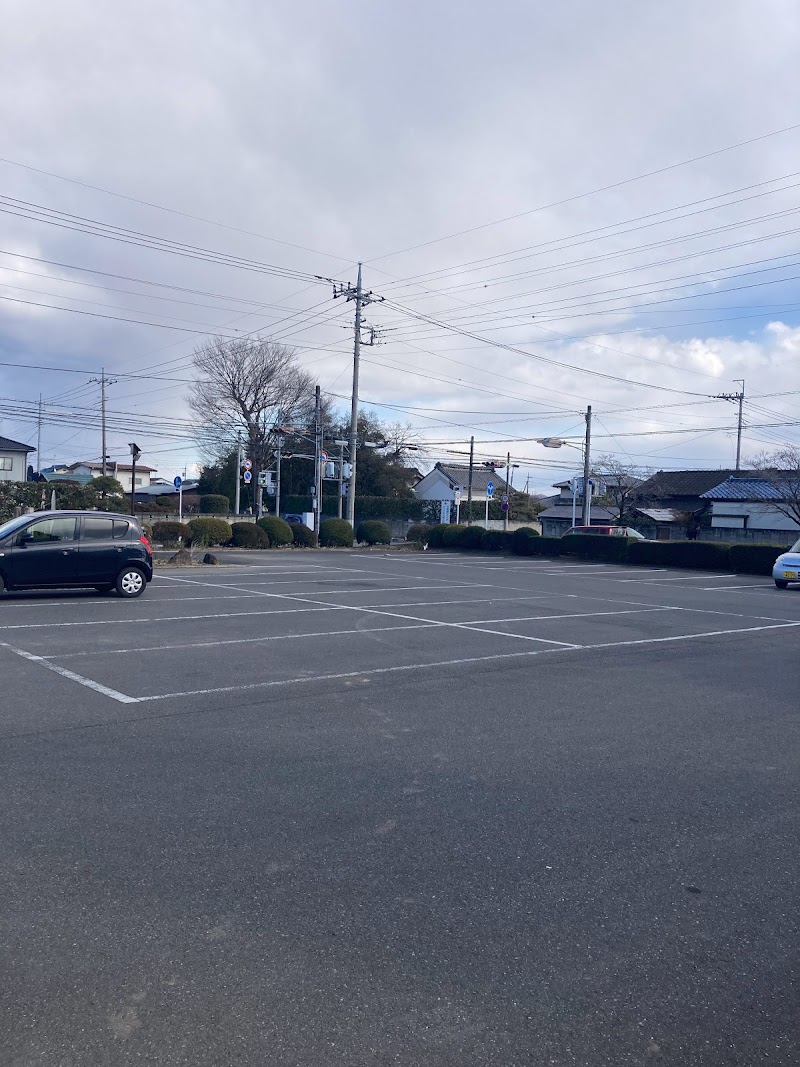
(419,809)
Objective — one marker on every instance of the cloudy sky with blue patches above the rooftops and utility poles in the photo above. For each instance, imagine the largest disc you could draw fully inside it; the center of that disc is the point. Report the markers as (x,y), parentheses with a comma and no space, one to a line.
(562,204)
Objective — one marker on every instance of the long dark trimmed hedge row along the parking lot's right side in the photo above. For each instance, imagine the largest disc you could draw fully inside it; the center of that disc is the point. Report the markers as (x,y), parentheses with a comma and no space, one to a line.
(696,555)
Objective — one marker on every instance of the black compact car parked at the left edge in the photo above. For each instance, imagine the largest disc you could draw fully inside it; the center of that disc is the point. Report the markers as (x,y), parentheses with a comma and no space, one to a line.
(74,549)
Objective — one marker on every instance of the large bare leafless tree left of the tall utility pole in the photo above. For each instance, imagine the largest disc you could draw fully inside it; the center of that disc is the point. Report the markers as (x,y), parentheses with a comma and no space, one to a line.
(247,386)
